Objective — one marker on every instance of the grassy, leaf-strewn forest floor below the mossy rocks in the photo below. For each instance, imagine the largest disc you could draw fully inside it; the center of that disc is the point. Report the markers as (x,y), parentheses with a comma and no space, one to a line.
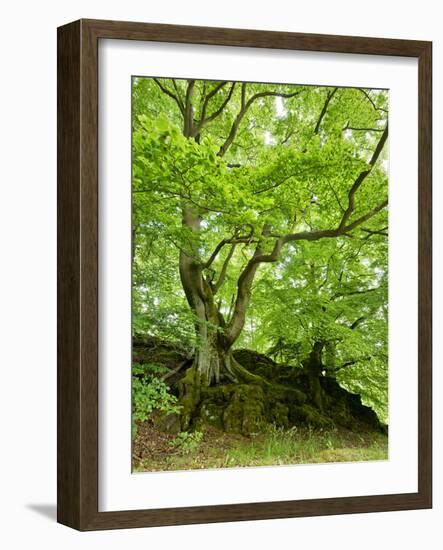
(157,451)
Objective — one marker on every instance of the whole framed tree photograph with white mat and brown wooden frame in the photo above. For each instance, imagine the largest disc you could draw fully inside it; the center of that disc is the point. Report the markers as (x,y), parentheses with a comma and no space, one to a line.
(244,275)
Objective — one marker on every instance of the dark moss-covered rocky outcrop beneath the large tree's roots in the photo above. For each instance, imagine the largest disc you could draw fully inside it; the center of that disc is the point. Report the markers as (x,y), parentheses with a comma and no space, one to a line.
(283,399)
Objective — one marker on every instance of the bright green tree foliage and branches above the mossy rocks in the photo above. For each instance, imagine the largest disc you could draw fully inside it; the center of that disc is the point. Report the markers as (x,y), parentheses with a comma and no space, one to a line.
(287,185)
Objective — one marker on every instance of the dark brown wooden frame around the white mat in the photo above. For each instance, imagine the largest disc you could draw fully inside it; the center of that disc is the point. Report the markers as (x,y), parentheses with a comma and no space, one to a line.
(77,457)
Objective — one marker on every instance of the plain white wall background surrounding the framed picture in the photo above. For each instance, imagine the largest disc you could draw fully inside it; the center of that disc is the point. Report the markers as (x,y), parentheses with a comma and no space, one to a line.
(28,272)
